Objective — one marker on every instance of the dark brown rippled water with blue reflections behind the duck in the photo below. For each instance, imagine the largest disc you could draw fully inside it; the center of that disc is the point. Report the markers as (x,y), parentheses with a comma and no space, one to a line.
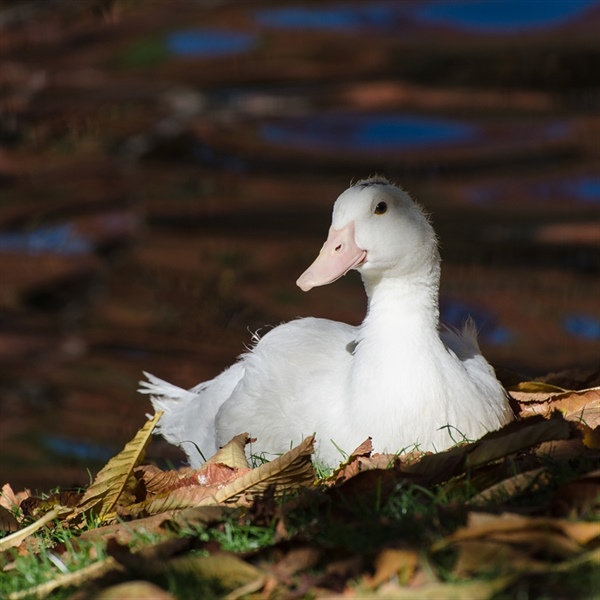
(168,169)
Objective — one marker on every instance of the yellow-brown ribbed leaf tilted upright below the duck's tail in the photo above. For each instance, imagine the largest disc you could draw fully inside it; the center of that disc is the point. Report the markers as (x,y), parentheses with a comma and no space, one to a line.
(112,480)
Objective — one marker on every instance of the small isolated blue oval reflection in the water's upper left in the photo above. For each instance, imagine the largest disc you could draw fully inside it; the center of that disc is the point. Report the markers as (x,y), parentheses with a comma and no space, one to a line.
(209,42)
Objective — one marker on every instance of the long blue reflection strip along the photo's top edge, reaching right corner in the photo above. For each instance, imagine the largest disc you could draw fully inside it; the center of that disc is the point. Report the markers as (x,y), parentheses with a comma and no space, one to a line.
(487,16)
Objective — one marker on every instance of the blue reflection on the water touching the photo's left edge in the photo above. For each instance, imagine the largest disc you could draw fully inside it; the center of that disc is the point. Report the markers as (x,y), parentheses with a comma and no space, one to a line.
(57,239)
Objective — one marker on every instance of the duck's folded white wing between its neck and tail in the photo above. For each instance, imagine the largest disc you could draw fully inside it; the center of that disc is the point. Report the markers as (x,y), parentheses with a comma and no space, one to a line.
(292,385)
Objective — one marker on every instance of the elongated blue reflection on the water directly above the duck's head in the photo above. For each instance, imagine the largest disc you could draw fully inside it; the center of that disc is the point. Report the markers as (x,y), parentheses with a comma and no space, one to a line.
(367,132)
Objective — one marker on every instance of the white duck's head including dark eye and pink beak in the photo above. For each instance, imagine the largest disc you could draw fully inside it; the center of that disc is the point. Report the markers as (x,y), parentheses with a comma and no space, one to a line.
(377,229)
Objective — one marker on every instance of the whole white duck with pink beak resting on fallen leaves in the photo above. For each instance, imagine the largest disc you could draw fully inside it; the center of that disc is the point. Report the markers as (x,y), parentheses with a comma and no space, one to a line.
(395,377)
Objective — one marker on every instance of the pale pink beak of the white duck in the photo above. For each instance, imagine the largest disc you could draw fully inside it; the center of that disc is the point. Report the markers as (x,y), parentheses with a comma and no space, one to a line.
(338,255)
